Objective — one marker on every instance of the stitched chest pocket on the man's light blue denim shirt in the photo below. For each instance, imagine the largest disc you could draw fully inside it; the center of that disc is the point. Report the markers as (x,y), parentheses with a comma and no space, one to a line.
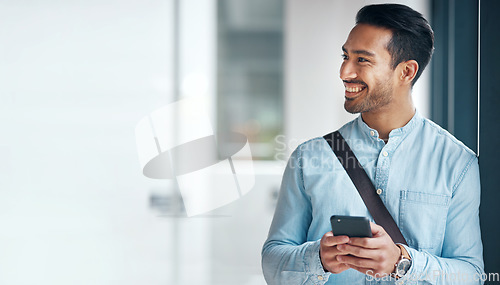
(422,219)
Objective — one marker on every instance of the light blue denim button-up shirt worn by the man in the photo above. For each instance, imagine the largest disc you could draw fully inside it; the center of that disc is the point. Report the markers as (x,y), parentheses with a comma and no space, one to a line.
(430,185)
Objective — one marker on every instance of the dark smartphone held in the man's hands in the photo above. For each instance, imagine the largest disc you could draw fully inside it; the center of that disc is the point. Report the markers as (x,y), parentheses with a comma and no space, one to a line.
(350,226)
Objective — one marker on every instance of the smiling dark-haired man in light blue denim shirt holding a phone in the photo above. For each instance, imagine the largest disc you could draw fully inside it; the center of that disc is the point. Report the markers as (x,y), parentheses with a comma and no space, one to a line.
(427,179)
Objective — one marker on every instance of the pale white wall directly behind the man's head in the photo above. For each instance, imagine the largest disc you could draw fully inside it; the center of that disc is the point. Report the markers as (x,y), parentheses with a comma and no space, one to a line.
(315,33)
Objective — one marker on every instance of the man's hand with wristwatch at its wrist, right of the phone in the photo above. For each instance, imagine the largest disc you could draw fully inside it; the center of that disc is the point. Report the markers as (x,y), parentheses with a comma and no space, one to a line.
(374,256)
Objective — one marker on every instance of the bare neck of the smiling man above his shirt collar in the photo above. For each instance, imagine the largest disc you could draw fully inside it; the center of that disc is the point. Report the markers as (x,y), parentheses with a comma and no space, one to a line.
(390,117)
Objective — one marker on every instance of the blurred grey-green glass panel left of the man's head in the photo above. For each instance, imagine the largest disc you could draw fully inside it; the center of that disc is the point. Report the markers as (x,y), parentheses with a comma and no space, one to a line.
(250,71)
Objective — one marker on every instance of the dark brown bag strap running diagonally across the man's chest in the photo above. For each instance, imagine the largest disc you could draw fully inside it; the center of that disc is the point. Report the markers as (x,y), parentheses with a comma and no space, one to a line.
(364,185)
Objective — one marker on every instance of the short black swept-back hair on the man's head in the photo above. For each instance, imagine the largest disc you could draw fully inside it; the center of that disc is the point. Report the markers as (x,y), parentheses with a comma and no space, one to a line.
(412,36)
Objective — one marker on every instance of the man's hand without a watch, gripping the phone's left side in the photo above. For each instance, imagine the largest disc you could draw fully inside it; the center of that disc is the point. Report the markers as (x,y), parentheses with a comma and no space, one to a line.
(328,252)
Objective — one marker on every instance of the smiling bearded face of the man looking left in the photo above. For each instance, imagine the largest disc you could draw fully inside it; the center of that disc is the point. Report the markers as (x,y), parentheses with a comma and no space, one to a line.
(367,70)
